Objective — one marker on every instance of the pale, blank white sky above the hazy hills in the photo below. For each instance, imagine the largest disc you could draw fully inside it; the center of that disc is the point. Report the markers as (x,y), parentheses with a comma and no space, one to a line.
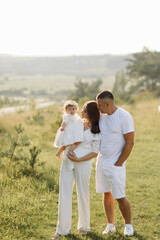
(78,27)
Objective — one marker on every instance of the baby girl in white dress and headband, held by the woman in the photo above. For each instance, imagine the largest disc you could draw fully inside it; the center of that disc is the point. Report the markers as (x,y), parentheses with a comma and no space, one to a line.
(71,132)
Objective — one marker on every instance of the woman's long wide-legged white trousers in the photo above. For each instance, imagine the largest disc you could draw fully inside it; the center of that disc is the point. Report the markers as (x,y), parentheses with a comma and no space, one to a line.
(81,174)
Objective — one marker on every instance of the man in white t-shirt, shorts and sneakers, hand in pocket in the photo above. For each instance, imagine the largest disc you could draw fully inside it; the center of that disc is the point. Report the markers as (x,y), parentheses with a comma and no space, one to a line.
(117,130)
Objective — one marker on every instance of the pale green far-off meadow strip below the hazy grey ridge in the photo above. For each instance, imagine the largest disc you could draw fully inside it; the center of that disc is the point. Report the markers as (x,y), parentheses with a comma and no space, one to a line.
(51,83)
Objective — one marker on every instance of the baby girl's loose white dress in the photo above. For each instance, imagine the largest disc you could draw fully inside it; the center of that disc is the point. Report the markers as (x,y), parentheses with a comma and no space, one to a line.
(74,131)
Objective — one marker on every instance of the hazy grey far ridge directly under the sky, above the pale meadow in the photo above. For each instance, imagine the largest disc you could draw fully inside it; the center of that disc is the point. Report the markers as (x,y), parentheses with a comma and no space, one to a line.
(86,66)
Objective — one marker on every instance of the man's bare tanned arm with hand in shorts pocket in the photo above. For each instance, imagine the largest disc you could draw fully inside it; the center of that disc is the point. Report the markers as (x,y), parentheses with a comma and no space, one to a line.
(129,138)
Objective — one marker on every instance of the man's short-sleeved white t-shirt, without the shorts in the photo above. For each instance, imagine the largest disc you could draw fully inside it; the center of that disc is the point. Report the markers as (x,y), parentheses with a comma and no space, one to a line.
(113,127)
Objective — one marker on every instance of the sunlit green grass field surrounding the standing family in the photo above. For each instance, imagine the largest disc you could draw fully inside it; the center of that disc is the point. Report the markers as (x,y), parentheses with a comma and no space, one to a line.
(29,204)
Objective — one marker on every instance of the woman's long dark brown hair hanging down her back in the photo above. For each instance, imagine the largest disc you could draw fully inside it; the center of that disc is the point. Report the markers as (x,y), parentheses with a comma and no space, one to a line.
(93,115)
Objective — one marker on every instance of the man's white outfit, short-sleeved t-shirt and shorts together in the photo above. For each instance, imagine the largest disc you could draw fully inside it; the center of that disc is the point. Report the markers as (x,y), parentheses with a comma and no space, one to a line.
(111,178)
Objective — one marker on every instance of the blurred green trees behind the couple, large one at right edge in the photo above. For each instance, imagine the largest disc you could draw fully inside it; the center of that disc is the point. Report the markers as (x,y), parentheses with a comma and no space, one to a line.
(142,73)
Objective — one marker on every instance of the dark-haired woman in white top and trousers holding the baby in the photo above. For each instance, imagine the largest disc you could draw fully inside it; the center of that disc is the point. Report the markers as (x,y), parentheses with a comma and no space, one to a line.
(80,172)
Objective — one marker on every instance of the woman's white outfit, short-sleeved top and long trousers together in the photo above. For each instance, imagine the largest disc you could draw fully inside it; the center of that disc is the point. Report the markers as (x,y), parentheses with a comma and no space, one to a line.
(81,174)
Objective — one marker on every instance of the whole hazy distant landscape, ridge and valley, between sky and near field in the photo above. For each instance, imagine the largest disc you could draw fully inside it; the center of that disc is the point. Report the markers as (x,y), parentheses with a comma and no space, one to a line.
(54,77)
